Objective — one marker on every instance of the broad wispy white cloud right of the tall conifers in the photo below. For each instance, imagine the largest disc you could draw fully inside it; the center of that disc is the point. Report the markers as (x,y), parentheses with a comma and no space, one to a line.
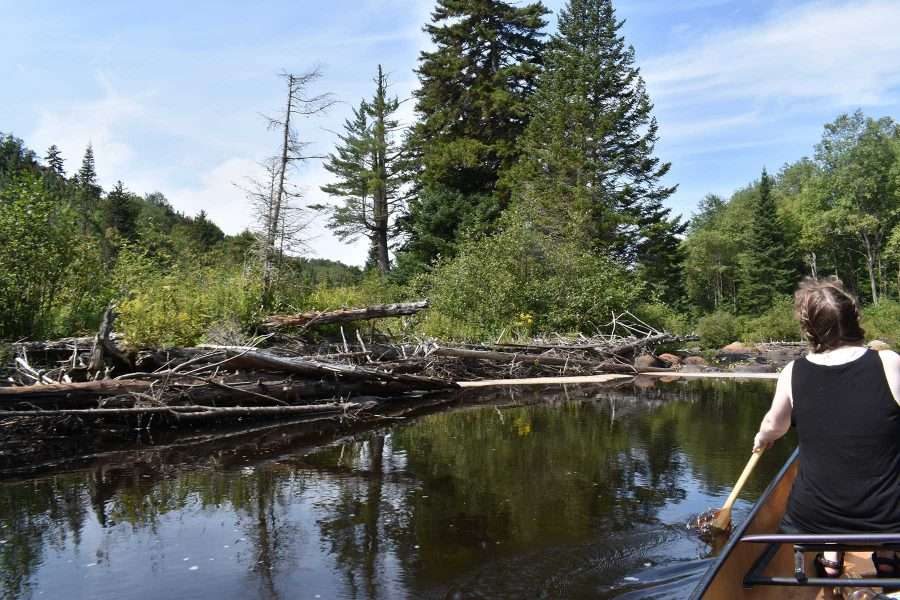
(845,54)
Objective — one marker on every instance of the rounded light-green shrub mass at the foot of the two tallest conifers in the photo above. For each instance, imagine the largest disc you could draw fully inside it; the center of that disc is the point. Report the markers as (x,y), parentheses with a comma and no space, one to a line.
(519,281)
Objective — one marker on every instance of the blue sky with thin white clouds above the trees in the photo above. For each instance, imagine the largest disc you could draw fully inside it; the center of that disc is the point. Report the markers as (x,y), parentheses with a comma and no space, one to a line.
(171,93)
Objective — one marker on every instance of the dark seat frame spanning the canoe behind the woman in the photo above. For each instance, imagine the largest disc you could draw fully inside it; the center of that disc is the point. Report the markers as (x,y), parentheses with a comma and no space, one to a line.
(843,542)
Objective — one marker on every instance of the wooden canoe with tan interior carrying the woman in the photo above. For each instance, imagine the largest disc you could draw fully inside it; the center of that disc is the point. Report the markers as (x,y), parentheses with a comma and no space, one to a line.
(758,563)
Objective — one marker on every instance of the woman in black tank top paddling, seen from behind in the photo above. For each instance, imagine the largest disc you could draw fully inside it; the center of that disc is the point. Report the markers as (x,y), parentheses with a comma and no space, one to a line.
(844,400)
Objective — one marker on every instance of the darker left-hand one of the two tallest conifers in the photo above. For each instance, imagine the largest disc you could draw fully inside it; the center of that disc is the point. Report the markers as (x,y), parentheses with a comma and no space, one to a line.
(473,104)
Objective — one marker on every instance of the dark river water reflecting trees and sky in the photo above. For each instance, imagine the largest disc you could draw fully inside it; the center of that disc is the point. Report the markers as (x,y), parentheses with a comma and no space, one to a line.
(563,493)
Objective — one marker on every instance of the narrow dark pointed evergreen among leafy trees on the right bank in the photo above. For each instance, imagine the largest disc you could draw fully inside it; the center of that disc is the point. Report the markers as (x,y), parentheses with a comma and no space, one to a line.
(766,266)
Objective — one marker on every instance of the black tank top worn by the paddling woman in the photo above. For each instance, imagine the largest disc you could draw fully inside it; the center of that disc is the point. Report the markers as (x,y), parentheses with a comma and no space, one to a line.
(848,425)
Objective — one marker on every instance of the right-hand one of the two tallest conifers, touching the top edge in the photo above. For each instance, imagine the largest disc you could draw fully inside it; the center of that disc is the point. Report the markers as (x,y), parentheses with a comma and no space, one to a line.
(588,157)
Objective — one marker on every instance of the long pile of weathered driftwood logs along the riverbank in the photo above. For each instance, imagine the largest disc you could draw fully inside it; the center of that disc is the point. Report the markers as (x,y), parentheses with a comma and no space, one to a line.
(92,383)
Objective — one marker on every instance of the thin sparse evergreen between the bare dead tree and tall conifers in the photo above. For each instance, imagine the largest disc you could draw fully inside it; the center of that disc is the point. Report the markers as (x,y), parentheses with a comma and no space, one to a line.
(370,168)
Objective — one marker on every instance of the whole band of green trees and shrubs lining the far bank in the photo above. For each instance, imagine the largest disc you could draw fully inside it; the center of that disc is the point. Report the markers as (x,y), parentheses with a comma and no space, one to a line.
(527,197)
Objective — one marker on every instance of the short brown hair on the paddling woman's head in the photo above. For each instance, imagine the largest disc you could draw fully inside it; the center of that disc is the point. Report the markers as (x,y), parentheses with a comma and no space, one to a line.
(828,314)
